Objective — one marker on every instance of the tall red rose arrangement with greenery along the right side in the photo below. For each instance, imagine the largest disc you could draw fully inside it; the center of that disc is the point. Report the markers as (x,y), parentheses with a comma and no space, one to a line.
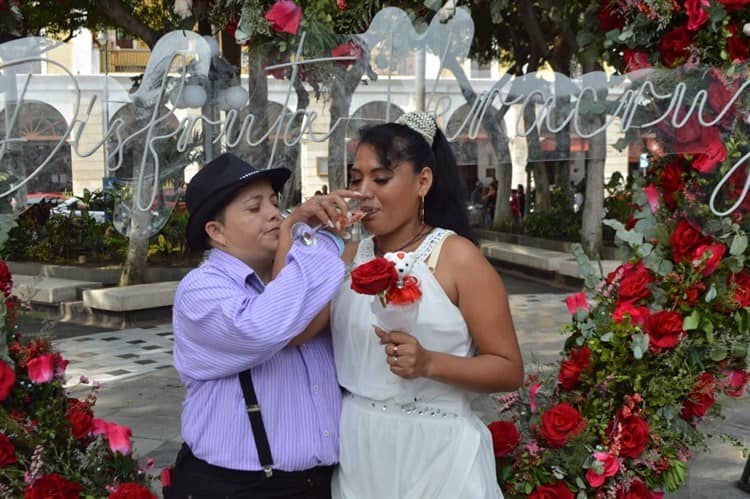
(661,343)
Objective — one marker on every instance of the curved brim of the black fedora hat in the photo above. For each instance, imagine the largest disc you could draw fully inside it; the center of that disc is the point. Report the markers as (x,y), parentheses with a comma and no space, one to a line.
(196,235)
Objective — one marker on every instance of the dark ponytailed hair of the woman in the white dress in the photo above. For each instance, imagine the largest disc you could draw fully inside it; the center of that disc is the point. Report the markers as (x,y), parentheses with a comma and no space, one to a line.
(445,203)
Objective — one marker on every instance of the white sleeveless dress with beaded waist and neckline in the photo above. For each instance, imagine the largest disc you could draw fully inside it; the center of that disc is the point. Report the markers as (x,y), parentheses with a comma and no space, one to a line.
(407,439)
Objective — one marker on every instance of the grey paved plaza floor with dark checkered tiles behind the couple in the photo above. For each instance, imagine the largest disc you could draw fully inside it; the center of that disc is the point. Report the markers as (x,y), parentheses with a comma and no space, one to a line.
(140,388)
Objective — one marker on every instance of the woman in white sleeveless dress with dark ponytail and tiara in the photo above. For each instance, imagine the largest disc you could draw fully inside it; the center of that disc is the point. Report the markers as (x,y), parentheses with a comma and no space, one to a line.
(407,430)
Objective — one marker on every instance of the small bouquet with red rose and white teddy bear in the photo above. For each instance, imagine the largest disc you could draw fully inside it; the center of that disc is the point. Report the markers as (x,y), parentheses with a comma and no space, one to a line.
(389,278)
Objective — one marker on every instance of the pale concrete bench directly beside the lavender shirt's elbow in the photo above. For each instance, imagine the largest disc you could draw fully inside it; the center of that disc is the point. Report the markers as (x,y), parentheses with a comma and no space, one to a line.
(131,298)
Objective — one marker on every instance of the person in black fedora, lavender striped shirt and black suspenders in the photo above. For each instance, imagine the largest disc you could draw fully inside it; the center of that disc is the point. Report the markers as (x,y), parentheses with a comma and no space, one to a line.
(261,411)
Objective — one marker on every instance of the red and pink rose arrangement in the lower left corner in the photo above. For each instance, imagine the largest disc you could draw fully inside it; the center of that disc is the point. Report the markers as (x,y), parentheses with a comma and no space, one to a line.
(51,445)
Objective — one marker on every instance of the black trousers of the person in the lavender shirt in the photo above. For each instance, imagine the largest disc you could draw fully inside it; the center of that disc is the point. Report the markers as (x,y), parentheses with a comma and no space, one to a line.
(193,478)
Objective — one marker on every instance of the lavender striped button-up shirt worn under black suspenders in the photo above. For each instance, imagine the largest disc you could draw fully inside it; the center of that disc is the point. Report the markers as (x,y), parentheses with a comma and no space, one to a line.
(225,321)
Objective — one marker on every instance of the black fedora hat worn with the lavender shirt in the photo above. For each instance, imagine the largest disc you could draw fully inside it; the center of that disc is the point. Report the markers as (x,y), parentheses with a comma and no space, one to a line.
(214,186)
